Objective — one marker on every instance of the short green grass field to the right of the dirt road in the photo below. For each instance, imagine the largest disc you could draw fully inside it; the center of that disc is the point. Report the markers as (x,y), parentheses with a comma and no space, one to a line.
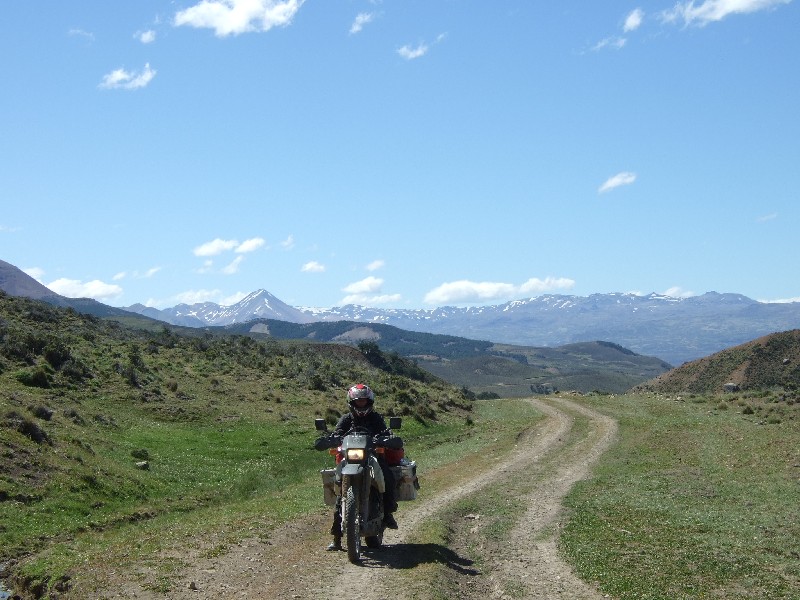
(692,502)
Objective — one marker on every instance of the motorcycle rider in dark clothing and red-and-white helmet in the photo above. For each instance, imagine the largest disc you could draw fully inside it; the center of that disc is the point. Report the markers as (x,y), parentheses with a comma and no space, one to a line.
(361,402)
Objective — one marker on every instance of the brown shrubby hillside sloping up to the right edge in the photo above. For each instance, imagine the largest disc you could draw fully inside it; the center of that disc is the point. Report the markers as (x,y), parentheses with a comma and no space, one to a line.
(772,361)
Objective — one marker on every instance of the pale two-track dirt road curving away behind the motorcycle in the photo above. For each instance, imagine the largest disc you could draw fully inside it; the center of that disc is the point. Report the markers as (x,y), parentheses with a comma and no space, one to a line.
(546,462)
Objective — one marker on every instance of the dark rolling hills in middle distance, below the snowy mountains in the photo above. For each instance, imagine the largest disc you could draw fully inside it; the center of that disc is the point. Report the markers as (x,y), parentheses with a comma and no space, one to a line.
(486,368)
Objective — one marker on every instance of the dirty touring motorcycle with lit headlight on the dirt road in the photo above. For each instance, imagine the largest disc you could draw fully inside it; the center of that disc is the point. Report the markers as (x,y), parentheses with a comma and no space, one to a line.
(358,483)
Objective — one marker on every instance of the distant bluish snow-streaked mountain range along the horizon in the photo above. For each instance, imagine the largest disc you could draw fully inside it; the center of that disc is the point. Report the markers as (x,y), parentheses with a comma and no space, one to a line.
(675,330)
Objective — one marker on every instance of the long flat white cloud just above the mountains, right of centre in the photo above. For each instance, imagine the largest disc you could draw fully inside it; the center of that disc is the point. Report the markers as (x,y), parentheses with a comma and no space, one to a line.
(465,291)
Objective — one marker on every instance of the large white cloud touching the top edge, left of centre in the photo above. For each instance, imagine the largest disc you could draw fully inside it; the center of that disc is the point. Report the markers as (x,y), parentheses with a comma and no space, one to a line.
(232,17)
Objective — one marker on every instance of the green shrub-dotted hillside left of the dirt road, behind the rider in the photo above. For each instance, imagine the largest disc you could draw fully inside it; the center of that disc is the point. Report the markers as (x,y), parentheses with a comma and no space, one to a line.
(103,426)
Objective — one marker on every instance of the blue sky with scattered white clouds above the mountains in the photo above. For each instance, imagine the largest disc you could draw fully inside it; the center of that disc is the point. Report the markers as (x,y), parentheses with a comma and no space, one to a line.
(400,153)
